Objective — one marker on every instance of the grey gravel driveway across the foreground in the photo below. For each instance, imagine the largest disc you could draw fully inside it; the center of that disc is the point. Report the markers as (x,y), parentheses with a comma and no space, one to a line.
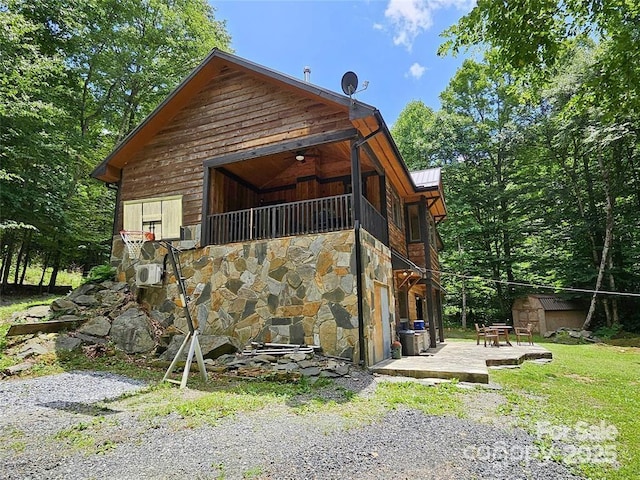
(274,444)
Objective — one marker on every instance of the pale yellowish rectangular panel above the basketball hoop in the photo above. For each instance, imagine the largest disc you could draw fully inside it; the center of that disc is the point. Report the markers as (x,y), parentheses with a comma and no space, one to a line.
(161,216)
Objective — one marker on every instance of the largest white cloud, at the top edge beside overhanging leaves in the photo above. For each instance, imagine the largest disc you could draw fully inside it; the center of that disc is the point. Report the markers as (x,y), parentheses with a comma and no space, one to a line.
(409,18)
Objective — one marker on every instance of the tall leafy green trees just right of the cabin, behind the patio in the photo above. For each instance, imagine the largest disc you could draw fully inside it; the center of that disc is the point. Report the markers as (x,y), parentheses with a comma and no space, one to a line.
(478,137)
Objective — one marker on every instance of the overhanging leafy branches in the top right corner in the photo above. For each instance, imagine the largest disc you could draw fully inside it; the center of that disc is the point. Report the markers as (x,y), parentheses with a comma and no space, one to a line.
(534,37)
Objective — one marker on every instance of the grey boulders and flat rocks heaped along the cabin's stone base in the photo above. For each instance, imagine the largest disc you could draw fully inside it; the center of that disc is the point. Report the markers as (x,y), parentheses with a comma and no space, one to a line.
(108,314)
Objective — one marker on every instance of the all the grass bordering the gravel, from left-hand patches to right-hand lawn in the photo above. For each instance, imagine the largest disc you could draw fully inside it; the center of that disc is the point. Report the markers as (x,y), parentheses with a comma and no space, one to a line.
(586,389)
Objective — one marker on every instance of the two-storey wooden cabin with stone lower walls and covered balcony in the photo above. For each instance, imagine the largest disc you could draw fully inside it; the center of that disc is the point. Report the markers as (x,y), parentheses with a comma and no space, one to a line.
(296,215)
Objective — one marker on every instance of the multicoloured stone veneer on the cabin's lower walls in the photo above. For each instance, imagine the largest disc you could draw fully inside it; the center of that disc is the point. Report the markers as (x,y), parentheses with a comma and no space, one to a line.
(287,290)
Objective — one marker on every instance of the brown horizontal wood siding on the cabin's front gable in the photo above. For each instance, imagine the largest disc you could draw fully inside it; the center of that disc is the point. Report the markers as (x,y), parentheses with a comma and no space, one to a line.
(234,112)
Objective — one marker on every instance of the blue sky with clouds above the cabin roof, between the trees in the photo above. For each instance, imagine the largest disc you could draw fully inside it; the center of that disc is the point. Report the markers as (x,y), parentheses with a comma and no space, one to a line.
(390,43)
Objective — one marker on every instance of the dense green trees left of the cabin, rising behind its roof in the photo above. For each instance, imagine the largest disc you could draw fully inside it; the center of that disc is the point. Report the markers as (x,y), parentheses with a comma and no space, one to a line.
(79,77)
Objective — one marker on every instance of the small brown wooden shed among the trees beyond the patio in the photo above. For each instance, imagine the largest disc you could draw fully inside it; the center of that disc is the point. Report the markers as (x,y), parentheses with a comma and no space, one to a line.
(547,313)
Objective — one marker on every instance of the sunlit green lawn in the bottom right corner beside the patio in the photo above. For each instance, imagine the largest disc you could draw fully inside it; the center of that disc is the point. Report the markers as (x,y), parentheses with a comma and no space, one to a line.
(587,389)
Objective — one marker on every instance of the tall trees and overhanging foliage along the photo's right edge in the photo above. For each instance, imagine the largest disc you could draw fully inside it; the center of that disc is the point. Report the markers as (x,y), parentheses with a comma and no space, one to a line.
(596,120)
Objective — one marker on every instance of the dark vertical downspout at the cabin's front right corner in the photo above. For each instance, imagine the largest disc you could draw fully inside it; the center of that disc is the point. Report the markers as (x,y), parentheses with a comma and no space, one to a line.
(356,180)
